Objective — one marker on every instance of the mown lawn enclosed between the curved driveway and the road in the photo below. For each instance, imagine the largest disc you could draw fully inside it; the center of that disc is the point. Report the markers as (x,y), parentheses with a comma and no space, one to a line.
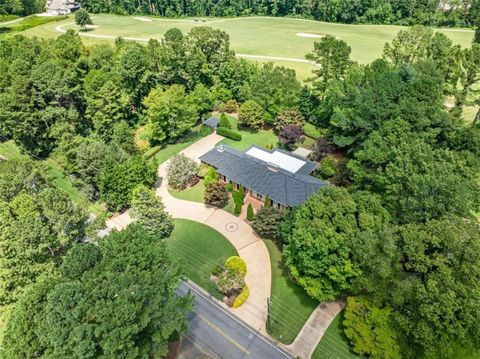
(199,248)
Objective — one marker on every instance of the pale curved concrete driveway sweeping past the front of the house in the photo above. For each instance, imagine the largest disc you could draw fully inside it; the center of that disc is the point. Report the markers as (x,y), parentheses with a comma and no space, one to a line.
(248,245)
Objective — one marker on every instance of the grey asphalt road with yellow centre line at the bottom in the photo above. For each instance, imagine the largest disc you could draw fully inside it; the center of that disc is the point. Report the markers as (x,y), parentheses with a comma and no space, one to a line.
(223,335)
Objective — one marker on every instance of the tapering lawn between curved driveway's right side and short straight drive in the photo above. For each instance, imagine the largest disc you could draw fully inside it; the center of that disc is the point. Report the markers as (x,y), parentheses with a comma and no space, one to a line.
(290,304)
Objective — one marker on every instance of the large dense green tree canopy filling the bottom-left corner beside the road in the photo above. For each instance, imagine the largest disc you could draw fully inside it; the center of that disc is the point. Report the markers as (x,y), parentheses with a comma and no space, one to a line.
(94,310)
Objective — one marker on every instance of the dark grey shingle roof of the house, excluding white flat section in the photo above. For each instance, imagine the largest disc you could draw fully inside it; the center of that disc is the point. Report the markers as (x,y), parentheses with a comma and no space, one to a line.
(279,185)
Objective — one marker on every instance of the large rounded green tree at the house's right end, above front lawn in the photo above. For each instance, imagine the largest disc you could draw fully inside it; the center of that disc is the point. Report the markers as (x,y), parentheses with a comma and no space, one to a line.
(318,239)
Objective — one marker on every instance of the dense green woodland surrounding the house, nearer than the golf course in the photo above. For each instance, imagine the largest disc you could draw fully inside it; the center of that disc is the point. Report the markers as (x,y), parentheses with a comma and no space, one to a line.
(396,232)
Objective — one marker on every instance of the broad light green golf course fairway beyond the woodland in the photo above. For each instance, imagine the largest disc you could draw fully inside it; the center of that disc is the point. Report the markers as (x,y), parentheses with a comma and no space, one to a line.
(260,36)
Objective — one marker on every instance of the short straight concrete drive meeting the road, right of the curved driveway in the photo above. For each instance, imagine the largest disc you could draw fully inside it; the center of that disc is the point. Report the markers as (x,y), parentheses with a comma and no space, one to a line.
(313,330)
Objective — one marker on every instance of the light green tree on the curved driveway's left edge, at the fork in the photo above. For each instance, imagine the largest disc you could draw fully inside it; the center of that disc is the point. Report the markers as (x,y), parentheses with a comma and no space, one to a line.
(149,211)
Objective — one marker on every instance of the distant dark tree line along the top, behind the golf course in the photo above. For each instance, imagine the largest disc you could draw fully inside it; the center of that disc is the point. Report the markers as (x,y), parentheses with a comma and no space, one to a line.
(405,12)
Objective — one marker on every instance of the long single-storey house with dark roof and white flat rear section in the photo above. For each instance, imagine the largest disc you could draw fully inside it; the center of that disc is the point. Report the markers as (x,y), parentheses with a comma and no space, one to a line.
(281,177)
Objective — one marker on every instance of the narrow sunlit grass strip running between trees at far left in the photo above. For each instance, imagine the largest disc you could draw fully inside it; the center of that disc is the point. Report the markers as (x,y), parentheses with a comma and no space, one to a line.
(59,178)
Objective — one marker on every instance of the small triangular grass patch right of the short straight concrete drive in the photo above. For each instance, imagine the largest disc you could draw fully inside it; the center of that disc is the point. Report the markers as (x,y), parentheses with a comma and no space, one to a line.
(334,343)
